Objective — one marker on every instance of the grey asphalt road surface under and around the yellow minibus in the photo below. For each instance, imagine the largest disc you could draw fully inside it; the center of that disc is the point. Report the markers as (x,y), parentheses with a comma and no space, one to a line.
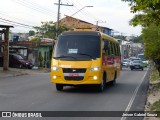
(36,93)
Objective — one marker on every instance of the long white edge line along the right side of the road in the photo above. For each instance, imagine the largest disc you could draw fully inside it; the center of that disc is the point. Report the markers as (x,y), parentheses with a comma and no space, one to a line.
(133,96)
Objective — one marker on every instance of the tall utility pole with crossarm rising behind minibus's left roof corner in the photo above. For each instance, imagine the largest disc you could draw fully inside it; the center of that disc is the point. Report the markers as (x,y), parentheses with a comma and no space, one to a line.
(58,15)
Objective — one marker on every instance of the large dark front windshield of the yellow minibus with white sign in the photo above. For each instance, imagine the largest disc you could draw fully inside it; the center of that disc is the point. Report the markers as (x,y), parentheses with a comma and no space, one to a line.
(81,47)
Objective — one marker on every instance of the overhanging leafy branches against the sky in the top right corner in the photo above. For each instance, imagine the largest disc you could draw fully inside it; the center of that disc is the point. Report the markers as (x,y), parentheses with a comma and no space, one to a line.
(149,12)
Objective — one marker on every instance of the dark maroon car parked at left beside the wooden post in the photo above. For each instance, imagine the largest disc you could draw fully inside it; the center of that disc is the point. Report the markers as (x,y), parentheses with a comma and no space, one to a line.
(18,61)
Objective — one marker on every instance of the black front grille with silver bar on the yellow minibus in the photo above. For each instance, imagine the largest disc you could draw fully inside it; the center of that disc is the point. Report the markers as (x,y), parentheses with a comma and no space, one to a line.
(68,71)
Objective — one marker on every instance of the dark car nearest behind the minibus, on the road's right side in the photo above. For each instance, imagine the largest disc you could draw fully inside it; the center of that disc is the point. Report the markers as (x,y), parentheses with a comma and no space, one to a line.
(136,64)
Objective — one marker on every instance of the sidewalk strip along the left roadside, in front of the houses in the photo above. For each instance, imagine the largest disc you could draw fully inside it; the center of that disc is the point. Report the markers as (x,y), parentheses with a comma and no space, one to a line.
(12,72)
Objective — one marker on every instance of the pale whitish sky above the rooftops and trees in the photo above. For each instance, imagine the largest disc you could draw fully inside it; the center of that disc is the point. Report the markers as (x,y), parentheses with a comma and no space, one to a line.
(113,14)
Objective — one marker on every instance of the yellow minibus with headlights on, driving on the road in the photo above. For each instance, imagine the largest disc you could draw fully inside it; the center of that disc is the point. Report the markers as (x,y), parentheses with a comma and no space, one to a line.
(85,58)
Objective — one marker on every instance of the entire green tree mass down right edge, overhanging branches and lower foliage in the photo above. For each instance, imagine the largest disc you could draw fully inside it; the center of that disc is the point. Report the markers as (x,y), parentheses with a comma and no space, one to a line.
(149,19)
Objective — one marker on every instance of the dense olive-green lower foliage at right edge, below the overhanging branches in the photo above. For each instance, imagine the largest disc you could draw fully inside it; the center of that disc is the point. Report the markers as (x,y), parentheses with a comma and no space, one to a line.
(151,37)
